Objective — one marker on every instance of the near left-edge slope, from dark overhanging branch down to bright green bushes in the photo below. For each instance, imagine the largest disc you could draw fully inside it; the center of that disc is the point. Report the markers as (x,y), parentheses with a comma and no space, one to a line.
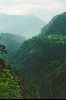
(9,87)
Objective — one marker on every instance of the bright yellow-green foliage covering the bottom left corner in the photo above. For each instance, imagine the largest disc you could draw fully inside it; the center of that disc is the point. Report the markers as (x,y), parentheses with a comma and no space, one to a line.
(9,87)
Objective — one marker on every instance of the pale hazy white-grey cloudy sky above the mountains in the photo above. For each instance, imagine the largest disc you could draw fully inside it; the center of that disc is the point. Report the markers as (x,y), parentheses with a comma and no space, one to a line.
(45,9)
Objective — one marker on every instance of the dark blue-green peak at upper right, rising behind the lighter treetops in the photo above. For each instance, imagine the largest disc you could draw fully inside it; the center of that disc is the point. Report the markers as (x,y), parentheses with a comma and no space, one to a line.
(56,26)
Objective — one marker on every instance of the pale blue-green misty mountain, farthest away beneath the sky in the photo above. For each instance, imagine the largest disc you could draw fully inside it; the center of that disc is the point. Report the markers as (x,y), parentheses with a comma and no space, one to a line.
(27,26)
